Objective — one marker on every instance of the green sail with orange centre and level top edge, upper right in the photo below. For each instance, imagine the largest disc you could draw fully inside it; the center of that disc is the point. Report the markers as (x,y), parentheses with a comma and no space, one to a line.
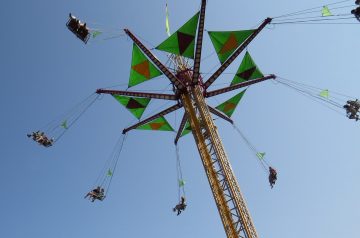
(226,42)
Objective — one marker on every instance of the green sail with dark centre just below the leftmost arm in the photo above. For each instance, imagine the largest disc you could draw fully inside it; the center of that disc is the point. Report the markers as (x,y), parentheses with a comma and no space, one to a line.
(135,105)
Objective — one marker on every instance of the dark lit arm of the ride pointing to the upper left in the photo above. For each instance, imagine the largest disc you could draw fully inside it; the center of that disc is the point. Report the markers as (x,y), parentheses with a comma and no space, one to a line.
(178,84)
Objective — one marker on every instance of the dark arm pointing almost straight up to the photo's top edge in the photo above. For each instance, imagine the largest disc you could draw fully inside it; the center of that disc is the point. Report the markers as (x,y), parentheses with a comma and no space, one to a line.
(199,40)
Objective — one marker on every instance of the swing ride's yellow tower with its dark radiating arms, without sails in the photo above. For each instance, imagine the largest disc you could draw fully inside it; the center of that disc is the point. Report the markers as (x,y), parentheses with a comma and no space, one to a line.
(191,93)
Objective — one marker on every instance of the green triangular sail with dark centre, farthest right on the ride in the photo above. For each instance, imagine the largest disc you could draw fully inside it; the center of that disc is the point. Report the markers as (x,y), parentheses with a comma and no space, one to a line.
(248,70)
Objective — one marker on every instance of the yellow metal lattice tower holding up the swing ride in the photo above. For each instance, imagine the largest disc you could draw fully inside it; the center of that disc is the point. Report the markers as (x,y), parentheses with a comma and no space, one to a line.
(226,191)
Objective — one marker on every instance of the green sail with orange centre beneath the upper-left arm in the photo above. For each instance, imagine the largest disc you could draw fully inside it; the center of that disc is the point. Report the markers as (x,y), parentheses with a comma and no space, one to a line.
(141,68)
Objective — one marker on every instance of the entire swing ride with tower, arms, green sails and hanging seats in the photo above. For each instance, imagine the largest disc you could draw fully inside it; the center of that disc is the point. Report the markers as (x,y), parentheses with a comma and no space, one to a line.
(190,91)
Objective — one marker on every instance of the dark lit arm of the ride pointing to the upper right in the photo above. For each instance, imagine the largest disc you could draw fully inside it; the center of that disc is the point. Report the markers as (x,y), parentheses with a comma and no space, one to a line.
(236,53)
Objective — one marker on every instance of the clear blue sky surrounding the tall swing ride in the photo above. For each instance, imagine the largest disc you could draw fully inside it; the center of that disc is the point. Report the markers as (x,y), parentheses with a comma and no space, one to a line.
(45,71)
